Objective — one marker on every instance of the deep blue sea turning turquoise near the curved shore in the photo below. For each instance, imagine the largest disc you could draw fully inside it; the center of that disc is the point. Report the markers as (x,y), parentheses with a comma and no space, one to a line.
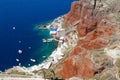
(24,15)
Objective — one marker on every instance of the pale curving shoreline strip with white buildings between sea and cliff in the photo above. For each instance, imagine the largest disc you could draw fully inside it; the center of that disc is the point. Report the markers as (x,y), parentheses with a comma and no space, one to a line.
(58,54)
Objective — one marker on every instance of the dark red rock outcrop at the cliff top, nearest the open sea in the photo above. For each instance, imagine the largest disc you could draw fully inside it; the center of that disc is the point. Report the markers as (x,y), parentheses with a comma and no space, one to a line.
(78,12)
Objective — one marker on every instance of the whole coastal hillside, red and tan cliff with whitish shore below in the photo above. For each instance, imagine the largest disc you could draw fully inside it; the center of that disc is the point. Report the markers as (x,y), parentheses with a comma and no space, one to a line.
(91,44)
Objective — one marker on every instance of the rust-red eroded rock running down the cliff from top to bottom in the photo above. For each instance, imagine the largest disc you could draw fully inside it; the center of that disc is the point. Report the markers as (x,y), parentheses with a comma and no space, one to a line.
(96,32)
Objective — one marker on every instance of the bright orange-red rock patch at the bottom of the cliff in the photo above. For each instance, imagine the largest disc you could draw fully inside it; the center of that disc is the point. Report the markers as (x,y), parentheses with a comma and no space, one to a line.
(75,66)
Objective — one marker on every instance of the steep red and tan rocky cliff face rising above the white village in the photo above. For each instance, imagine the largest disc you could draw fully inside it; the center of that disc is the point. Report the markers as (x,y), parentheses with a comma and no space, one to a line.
(97,29)
